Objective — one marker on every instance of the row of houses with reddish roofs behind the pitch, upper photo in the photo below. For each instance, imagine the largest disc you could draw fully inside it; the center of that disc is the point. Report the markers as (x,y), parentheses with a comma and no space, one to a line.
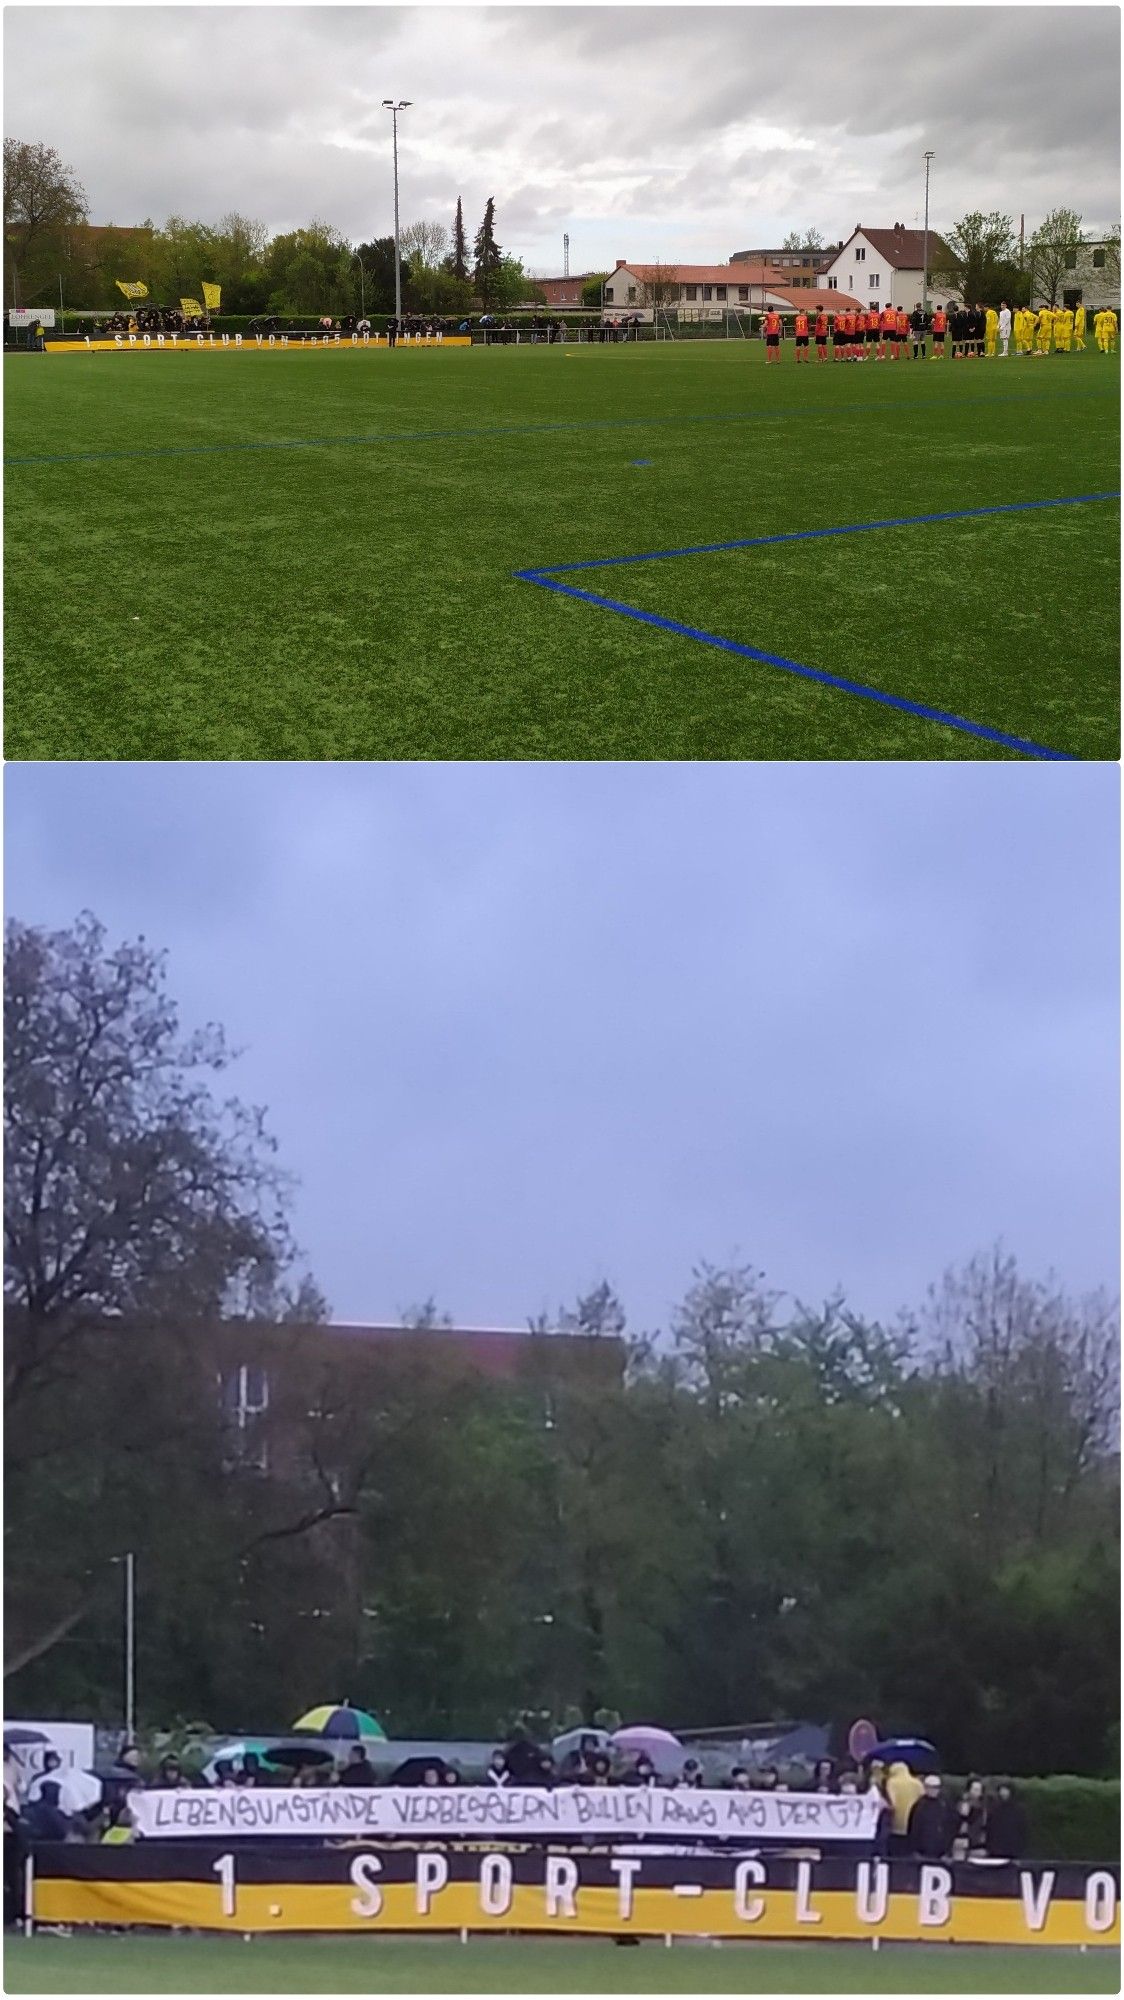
(873,269)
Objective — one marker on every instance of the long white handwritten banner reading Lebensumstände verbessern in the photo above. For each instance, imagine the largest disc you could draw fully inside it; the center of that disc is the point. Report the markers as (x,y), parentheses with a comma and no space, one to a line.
(483,1811)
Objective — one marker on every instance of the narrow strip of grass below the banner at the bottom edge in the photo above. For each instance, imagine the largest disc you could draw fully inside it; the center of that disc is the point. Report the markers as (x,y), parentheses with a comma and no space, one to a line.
(531,1965)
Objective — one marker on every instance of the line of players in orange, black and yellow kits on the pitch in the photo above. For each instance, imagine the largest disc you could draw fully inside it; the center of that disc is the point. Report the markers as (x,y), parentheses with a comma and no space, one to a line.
(973,331)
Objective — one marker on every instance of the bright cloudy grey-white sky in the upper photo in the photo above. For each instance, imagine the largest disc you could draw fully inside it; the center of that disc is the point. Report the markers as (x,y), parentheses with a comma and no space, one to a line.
(673,133)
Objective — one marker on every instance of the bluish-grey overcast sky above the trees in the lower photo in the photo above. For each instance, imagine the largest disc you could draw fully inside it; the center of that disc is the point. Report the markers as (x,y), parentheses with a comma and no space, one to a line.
(527,1027)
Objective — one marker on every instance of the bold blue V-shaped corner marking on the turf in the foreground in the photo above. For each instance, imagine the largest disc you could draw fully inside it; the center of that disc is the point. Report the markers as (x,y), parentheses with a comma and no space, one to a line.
(545,579)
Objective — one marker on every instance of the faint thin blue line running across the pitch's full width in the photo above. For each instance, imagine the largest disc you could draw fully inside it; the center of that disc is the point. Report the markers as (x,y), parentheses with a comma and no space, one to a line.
(523,431)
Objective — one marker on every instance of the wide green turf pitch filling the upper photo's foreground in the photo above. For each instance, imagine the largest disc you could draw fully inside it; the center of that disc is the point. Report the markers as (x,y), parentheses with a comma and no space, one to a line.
(353,595)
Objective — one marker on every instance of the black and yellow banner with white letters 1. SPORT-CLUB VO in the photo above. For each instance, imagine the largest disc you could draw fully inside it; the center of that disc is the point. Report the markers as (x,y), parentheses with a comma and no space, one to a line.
(615,1893)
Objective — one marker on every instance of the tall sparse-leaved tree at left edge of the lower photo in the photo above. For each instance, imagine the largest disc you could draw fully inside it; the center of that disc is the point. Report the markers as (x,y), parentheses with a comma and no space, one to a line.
(137,1209)
